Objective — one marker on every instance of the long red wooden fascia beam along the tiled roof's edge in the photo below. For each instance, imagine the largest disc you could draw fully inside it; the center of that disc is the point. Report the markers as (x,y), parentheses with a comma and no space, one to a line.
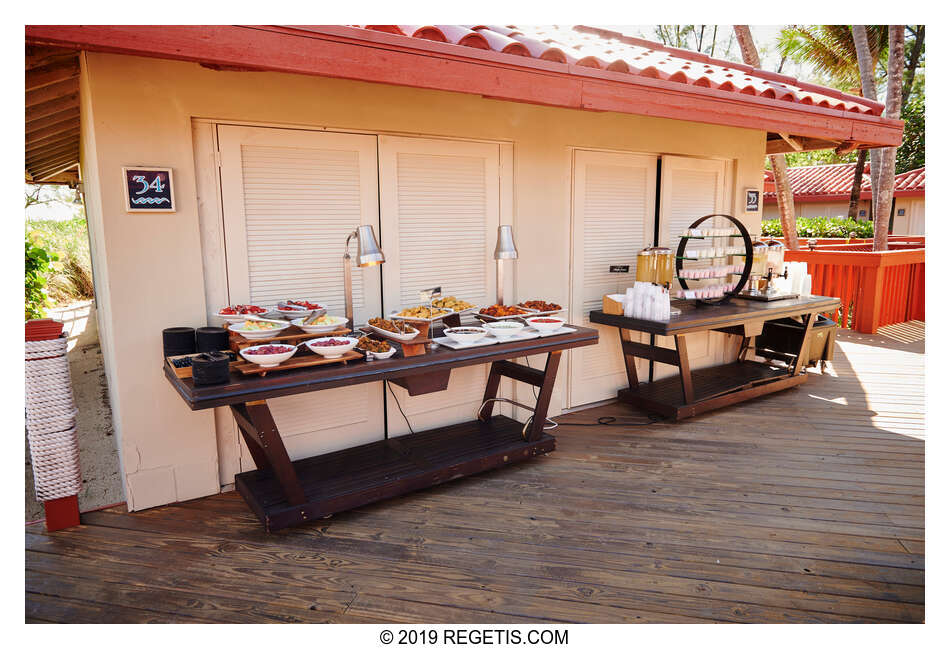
(351,53)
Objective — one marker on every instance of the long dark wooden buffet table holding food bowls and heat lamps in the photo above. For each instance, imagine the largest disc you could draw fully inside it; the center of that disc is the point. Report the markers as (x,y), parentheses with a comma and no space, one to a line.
(283,493)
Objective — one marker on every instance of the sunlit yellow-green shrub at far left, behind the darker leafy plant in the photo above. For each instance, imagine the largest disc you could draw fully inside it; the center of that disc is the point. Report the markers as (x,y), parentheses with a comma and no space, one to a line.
(70,279)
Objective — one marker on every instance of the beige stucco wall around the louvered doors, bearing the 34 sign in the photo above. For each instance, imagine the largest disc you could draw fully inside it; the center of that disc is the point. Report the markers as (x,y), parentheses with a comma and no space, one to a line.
(149,266)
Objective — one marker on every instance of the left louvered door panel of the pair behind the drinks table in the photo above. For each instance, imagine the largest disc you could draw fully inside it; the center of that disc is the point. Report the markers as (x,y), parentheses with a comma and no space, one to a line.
(613,212)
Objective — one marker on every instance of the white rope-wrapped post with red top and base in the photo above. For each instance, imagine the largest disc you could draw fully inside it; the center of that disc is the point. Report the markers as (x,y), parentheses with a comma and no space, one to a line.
(51,426)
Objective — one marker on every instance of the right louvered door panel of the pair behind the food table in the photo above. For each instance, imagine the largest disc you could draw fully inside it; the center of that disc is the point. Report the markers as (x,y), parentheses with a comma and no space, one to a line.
(439,210)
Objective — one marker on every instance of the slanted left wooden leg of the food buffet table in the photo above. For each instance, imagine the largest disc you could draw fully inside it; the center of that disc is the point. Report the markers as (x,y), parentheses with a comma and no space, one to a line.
(267,448)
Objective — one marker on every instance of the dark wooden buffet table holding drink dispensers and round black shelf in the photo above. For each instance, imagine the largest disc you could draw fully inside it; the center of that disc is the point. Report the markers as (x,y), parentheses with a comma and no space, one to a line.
(697,391)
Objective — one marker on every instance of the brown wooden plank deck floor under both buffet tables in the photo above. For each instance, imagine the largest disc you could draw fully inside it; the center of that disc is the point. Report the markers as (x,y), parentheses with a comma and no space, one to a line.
(805,506)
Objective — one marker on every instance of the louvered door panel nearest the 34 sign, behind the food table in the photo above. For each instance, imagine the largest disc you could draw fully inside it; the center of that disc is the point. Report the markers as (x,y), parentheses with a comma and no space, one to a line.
(290,197)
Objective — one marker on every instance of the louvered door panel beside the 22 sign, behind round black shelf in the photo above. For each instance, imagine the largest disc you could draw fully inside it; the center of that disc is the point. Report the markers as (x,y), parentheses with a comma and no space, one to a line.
(689,189)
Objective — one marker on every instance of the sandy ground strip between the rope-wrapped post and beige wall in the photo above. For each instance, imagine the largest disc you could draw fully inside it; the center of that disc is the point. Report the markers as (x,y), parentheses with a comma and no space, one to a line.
(98,457)
